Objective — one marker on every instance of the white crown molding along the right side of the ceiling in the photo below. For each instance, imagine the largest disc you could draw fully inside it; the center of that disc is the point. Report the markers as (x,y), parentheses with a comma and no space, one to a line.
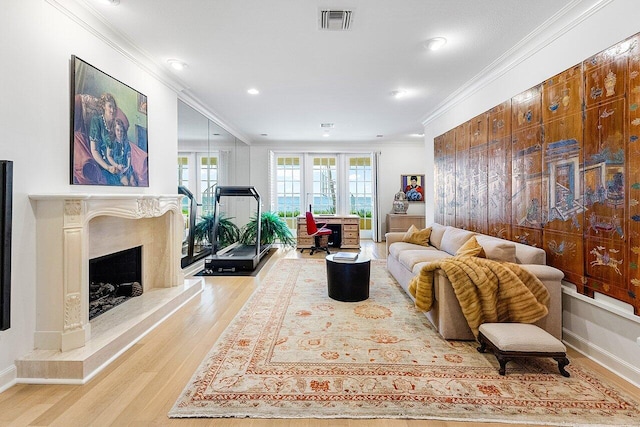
(552,29)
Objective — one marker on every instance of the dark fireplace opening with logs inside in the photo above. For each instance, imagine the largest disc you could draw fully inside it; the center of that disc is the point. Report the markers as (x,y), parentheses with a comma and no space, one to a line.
(113,279)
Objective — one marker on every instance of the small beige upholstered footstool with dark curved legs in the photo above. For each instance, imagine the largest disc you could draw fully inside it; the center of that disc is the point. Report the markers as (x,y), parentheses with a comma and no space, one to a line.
(513,340)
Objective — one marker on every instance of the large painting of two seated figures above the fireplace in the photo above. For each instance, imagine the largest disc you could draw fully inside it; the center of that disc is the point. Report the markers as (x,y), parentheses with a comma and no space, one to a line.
(109,130)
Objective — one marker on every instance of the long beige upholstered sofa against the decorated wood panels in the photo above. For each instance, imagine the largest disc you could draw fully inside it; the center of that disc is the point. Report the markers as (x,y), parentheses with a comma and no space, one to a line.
(404,261)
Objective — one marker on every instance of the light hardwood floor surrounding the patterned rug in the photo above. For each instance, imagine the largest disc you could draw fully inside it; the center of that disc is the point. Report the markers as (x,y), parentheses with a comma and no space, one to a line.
(140,387)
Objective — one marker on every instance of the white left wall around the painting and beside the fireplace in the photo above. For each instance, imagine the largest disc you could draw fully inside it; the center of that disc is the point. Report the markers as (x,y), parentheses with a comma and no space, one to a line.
(37,43)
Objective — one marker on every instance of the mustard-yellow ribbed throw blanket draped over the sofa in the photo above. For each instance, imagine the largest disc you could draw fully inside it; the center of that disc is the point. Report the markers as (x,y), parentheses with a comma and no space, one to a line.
(488,291)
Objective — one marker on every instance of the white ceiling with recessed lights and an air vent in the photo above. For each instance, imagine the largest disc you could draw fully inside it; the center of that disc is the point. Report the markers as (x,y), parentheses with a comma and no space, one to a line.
(307,76)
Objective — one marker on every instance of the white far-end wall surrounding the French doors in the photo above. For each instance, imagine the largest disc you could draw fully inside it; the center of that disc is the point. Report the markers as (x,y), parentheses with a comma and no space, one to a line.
(395,159)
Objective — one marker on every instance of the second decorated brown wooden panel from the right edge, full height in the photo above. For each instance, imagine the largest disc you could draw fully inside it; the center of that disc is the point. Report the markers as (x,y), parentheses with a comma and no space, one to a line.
(605,172)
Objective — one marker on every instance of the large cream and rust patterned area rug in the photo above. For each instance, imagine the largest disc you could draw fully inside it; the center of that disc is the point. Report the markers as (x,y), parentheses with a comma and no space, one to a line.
(292,352)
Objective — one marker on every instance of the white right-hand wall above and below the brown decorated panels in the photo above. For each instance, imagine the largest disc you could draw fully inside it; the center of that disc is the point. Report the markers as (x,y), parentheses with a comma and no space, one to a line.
(606,332)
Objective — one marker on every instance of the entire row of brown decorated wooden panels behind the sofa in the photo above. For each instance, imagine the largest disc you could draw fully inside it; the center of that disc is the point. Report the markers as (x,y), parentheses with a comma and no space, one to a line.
(571,146)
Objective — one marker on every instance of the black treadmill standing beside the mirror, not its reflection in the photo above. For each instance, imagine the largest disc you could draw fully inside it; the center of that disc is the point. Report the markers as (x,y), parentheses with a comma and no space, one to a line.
(237,256)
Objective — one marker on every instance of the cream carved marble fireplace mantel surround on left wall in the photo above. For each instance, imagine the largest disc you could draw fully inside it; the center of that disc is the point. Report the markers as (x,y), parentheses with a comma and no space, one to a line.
(73,228)
